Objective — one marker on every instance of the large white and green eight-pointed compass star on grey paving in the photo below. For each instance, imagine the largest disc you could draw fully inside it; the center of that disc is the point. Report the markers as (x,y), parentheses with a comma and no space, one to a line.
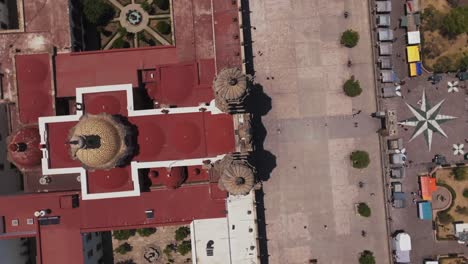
(427,120)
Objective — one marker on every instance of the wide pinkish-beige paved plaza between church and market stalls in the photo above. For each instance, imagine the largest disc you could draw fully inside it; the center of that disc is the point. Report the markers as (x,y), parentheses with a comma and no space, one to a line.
(313,127)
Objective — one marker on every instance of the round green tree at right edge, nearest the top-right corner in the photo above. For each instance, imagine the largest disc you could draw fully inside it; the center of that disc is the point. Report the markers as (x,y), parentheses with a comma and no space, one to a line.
(455,22)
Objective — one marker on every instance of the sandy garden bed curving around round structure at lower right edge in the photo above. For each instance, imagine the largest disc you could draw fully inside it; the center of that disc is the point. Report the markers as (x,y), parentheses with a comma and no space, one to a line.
(456,181)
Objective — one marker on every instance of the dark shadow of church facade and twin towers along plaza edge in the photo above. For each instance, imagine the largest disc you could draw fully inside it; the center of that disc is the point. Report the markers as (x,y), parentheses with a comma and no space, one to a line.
(258,104)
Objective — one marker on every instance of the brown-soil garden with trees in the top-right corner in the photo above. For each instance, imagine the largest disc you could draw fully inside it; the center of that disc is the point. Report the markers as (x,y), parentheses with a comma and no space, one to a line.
(444,29)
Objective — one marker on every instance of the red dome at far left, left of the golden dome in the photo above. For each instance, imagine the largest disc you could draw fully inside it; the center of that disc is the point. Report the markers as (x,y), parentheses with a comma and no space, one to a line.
(24,148)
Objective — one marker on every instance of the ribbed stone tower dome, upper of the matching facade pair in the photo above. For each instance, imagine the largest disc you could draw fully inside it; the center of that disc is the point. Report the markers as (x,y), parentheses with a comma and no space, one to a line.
(230,84)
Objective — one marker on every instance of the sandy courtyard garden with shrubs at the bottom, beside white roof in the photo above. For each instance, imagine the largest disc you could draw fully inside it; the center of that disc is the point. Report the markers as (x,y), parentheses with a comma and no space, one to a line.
(170,244)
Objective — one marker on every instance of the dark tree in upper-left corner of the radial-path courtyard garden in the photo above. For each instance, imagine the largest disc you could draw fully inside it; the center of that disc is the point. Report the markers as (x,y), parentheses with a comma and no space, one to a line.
(98,12)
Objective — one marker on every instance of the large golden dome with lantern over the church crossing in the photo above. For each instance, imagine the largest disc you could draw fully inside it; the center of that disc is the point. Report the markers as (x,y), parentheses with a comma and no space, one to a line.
(98,141)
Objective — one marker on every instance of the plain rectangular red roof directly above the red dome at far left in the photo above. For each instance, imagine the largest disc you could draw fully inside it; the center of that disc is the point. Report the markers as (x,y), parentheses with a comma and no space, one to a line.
(34,81)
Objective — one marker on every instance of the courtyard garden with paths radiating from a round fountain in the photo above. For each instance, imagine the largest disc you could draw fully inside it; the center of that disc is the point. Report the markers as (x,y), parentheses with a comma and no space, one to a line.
(130,23)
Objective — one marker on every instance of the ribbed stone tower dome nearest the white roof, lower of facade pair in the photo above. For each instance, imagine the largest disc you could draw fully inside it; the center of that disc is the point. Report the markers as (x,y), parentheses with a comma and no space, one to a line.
(238,179)
